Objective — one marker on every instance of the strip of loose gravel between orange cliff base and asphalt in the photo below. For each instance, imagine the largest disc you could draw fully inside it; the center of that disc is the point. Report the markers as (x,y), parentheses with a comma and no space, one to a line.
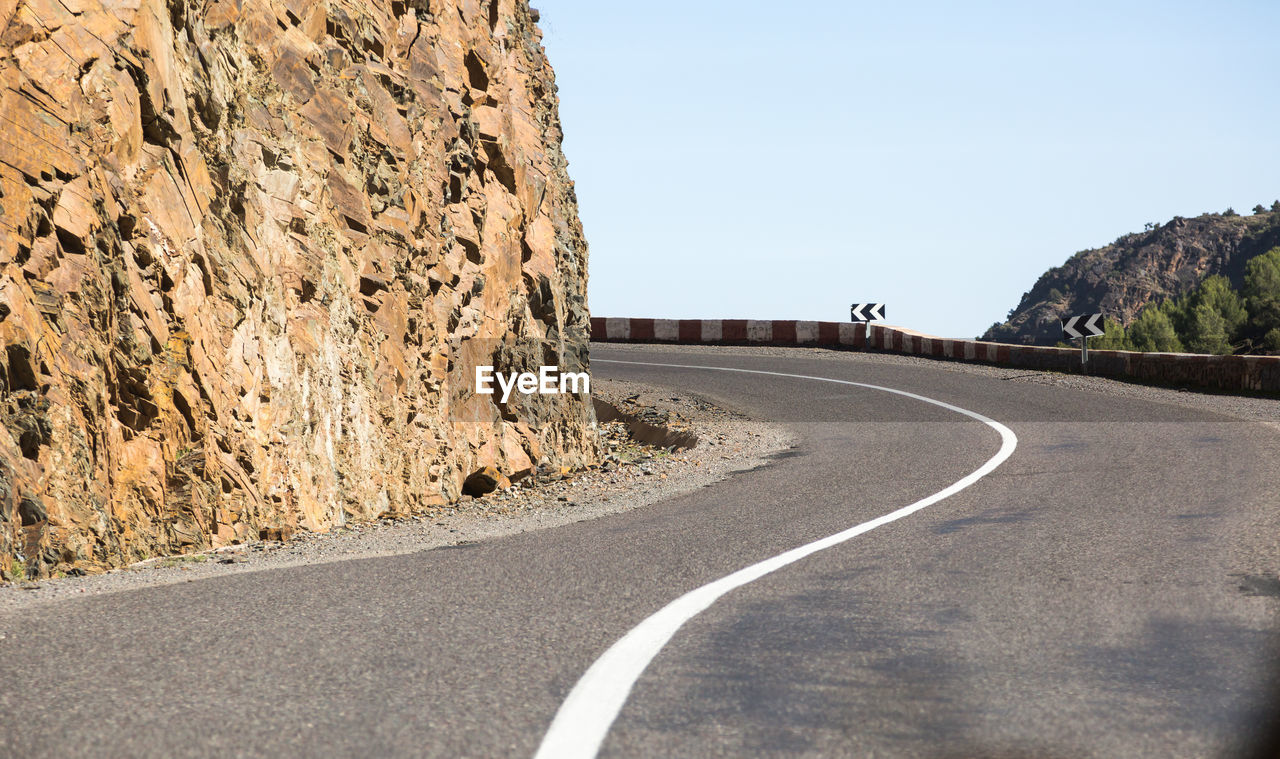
(633,475)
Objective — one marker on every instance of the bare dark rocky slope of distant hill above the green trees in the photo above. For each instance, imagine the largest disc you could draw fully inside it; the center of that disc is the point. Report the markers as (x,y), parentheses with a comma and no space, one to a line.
(1119,280)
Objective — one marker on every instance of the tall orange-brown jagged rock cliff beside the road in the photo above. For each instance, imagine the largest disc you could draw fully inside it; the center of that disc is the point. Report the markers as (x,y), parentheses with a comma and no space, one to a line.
(244,245)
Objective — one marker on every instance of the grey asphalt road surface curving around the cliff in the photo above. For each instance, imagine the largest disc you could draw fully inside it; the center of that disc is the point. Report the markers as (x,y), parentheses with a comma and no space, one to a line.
(1104,593)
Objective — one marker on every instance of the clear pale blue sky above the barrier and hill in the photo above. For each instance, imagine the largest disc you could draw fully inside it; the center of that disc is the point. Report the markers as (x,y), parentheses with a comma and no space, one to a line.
(742,159)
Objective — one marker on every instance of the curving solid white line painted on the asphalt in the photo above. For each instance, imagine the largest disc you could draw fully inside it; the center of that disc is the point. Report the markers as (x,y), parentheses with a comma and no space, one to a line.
(589,711)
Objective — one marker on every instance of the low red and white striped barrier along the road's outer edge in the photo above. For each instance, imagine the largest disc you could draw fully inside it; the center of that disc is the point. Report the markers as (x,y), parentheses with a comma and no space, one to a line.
(1218,373)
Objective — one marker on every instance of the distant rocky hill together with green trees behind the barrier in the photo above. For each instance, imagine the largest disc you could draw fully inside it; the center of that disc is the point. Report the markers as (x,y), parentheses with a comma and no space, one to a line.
(1206,285)
